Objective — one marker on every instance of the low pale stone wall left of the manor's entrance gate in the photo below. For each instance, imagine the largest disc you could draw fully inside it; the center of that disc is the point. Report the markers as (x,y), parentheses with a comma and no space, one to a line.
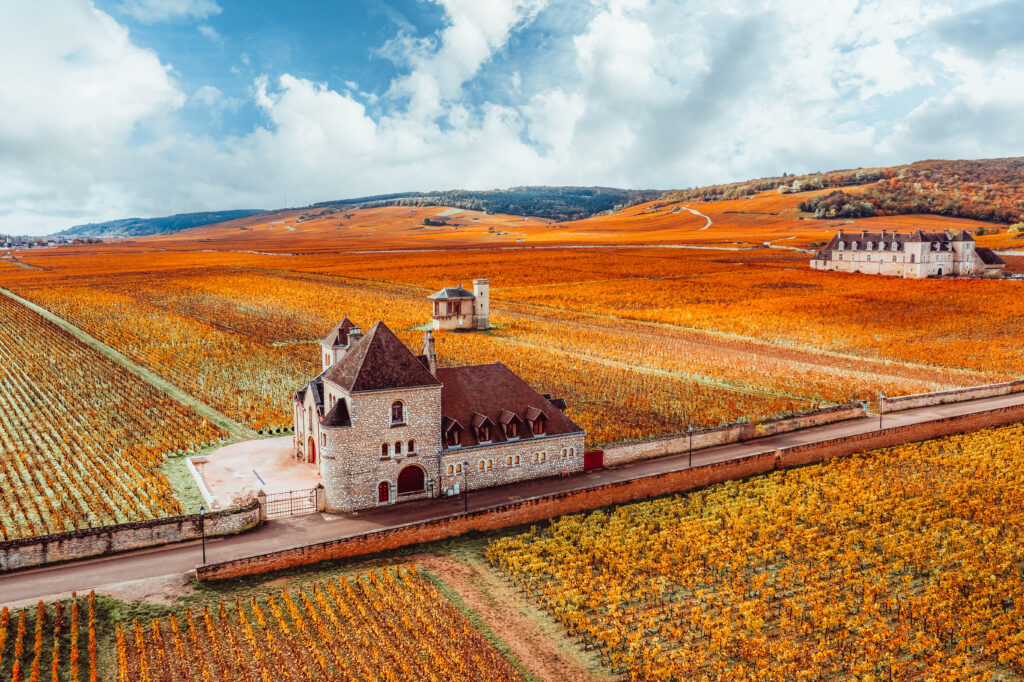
(28,552)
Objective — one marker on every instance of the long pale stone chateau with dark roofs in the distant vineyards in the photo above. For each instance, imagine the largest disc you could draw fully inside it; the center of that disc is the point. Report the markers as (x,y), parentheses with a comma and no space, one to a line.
(916,255)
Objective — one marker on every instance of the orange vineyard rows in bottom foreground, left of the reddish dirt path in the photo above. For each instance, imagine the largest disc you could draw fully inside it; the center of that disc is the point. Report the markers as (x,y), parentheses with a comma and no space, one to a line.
(377,627)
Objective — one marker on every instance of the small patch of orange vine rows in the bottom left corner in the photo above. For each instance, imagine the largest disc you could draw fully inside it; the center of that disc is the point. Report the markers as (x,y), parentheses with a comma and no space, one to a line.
(53,643)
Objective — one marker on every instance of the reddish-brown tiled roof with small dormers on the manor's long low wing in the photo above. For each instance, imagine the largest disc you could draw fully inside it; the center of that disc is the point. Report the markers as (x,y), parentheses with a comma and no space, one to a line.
(496,393)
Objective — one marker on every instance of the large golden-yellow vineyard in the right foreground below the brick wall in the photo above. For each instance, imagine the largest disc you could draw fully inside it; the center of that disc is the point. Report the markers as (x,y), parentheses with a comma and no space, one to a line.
(900,564)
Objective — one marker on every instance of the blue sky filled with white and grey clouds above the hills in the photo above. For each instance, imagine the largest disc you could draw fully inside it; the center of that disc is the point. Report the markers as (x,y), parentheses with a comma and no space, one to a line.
(114,109)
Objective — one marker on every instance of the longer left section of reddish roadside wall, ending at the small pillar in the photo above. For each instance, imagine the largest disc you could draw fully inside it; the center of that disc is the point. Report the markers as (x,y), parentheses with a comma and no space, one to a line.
(527,511)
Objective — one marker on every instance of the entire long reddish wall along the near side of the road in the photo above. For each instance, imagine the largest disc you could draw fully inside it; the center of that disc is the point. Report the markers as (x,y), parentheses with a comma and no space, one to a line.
(537,509)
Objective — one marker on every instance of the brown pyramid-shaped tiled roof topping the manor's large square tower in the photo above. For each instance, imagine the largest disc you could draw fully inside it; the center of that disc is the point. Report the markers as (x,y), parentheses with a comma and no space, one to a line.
(377,362)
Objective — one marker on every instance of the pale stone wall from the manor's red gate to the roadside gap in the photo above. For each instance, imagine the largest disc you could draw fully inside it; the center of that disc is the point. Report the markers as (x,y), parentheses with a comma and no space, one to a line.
(650,448)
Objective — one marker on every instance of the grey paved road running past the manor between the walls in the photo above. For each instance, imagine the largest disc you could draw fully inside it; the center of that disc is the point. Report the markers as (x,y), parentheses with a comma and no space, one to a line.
(183,558)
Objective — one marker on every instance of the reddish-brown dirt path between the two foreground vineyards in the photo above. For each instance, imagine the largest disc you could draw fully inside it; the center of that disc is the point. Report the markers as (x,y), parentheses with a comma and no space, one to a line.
(548,655)
